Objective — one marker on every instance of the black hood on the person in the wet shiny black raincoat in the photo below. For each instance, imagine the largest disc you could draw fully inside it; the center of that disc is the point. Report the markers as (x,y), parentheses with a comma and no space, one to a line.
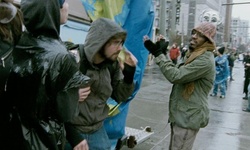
(42,17)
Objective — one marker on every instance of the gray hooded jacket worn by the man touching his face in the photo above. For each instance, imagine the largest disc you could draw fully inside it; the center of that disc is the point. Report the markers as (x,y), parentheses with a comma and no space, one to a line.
(105,83)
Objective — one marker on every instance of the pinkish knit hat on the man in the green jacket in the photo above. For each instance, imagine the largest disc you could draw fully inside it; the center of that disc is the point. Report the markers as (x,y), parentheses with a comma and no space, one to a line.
(207,29)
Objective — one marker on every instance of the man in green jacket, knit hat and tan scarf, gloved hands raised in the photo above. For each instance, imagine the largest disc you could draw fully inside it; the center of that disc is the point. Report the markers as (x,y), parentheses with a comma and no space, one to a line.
(188,106)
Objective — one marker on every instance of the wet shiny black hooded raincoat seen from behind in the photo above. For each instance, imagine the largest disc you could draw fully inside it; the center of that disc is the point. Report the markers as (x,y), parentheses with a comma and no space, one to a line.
(44,81)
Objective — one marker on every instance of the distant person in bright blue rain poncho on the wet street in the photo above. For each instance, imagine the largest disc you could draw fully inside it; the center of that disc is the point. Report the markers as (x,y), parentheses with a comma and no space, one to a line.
(222,73)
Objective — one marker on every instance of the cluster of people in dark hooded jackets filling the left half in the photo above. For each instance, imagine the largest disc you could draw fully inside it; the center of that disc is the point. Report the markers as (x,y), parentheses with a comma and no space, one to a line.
(57,102)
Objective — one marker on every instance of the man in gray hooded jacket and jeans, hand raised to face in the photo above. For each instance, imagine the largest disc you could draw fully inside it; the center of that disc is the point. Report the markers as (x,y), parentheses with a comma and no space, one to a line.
(102,46)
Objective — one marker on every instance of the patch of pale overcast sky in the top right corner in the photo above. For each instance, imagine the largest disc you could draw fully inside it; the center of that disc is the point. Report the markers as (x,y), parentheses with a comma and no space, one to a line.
(241,10)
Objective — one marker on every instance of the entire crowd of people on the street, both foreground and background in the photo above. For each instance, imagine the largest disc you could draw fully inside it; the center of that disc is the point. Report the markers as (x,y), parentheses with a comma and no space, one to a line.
(56,100)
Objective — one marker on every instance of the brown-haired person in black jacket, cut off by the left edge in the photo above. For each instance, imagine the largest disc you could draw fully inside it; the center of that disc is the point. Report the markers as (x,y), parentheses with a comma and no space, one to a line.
(10,30)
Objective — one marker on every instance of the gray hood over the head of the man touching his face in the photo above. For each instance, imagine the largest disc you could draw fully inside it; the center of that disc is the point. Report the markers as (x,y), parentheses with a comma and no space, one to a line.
(100,32)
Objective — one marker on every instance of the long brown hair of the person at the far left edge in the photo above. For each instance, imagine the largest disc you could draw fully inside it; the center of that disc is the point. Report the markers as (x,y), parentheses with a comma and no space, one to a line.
(11,31)
